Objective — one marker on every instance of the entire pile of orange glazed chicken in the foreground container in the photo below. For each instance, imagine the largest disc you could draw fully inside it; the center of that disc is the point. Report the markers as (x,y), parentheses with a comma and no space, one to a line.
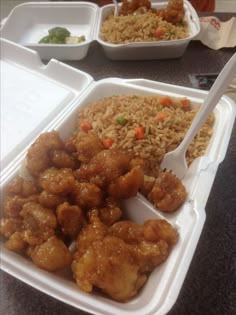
(70,214)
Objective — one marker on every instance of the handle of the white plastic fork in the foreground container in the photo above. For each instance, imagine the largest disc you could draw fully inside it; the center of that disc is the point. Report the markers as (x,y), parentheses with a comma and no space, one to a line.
(217,90)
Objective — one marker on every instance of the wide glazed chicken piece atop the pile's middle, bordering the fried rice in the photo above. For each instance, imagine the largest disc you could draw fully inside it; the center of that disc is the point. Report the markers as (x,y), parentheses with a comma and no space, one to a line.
(104,167)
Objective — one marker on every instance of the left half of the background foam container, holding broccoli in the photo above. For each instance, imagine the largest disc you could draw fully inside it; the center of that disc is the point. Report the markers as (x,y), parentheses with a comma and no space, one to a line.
(29,22)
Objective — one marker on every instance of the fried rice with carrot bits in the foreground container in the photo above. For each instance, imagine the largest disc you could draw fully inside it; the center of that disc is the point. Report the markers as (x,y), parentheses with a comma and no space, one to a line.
(164,125)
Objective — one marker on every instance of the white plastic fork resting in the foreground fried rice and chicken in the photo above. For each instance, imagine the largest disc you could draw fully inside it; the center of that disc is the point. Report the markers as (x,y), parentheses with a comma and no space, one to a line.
(175,161)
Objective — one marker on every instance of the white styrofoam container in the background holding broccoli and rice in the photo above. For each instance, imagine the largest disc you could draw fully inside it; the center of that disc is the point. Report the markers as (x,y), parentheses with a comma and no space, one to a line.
(29,22)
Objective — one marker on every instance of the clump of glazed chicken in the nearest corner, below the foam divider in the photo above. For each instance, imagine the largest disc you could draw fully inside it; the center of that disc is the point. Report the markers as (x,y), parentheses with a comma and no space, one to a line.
(117,260)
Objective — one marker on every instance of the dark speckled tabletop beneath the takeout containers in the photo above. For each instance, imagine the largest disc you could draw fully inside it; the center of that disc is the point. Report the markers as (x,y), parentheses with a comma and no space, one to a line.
(210,284)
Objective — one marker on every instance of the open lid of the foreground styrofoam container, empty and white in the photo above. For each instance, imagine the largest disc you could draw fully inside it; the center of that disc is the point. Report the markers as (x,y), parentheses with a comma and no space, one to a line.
(32,96)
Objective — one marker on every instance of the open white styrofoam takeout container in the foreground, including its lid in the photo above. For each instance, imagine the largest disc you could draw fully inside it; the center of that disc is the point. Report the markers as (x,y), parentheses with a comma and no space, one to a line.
(38,98)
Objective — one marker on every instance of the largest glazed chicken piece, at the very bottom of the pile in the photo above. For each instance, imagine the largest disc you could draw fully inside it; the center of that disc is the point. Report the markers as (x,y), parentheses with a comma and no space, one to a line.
(108,265)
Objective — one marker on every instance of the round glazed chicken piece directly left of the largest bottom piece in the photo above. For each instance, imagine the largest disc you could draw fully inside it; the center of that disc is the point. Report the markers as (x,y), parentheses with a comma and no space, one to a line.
(51,255)
